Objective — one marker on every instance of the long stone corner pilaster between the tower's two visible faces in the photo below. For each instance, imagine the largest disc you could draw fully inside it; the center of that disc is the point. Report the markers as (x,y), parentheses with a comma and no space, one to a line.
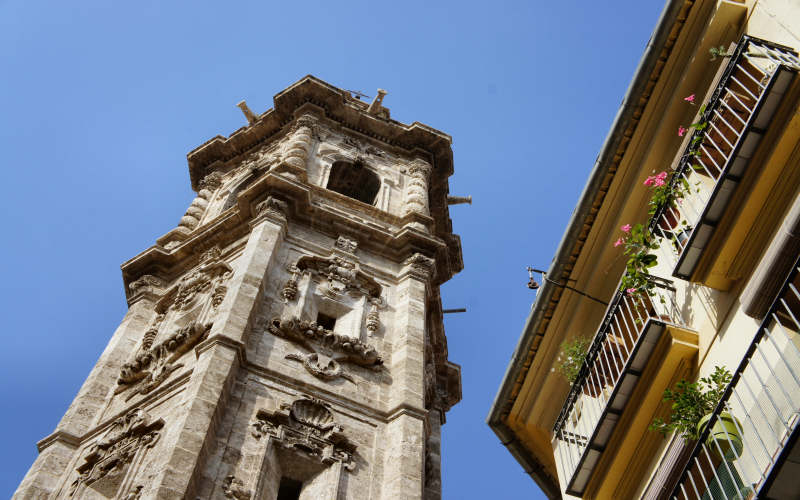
(219,359)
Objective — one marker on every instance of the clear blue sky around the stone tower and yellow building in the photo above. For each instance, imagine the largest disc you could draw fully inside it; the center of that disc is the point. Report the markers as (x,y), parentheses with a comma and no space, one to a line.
(101,101)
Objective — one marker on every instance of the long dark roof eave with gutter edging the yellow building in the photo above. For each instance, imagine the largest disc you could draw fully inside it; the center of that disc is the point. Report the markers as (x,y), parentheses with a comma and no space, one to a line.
(647,74)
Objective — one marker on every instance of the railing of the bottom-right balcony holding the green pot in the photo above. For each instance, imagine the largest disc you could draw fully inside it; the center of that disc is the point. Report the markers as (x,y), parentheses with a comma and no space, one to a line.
(755,426)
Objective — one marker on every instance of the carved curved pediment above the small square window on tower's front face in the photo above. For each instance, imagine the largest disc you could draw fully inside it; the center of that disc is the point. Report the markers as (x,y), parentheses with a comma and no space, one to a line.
(342,275)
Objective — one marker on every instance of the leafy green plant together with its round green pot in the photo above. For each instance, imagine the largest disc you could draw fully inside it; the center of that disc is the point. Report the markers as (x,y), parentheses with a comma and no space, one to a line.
(693,404)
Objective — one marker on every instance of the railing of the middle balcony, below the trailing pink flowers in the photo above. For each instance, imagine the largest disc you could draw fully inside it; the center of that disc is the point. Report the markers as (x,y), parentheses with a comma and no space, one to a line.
(619,352)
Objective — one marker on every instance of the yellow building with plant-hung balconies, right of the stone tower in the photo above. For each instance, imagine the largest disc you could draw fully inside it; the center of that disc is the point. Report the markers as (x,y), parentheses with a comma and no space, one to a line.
(681,257)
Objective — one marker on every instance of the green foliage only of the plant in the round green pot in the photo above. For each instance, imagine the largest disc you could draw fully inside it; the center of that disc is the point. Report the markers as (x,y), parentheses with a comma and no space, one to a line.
(693,402)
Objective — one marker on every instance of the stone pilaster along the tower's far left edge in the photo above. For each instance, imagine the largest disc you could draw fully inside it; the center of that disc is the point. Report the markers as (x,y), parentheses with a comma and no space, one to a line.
(56,450)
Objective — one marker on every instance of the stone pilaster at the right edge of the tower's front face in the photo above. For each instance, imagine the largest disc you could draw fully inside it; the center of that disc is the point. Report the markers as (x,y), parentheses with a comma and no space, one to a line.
(405,431)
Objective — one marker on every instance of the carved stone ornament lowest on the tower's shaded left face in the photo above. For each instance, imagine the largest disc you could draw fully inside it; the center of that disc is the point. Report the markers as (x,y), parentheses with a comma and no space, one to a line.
(110,456)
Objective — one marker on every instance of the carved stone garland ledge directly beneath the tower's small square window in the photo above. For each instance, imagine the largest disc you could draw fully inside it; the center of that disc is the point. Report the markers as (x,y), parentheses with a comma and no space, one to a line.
(306,333)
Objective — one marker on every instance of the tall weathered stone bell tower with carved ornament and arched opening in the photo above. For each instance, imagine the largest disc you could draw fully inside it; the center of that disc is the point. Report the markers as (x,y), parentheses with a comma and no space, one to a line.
(285,341)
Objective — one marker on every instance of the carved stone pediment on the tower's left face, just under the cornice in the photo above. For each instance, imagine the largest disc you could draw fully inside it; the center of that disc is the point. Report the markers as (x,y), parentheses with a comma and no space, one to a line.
(209,275)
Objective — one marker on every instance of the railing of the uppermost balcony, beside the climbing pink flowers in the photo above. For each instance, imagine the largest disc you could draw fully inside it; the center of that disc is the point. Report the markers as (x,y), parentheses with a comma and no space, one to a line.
(716,157)
